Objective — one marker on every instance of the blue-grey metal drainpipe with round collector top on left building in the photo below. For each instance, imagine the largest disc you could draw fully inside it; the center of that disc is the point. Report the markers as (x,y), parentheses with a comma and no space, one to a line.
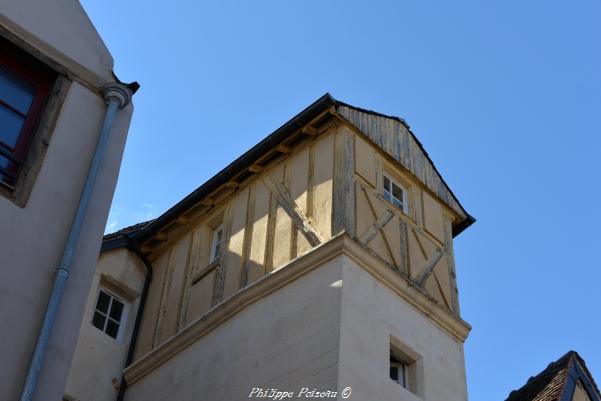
(116,96)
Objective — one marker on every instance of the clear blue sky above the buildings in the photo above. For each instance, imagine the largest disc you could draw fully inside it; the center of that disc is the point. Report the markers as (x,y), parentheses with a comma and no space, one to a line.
(504,95)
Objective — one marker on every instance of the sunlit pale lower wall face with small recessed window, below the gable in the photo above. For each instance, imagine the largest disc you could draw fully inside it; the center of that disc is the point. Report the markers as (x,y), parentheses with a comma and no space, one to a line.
(371,313)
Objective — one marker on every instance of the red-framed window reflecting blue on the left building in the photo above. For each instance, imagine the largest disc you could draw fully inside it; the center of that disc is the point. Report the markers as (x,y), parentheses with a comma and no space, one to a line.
(25,84)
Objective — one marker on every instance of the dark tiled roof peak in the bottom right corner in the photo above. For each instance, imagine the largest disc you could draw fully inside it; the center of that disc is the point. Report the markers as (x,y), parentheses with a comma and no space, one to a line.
(551,383)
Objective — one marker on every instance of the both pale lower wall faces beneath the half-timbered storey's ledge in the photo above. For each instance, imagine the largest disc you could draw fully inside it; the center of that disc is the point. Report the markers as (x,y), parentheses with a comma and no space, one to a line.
(329,329)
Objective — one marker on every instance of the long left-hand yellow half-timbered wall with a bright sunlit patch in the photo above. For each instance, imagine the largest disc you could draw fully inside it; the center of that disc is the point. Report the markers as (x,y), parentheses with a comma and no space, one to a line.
(259,236)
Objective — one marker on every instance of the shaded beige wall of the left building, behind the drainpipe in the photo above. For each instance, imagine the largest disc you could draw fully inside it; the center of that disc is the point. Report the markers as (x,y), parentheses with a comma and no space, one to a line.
(33,238)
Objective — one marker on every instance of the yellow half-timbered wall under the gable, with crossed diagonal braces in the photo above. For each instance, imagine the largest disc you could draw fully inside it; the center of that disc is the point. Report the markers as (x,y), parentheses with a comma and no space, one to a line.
(412,237)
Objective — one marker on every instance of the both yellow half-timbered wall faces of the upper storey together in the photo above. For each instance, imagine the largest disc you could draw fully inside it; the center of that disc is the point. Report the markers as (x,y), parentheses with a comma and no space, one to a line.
(260,235)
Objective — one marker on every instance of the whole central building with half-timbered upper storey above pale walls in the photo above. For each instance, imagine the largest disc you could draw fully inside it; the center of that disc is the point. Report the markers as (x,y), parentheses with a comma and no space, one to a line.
(321,259)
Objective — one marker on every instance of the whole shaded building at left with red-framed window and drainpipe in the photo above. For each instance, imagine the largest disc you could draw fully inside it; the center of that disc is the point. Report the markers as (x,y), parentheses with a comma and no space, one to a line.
(56,91)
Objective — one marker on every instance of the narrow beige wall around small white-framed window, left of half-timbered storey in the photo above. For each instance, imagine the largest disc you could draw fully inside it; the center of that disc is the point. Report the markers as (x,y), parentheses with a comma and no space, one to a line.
(98,359)
